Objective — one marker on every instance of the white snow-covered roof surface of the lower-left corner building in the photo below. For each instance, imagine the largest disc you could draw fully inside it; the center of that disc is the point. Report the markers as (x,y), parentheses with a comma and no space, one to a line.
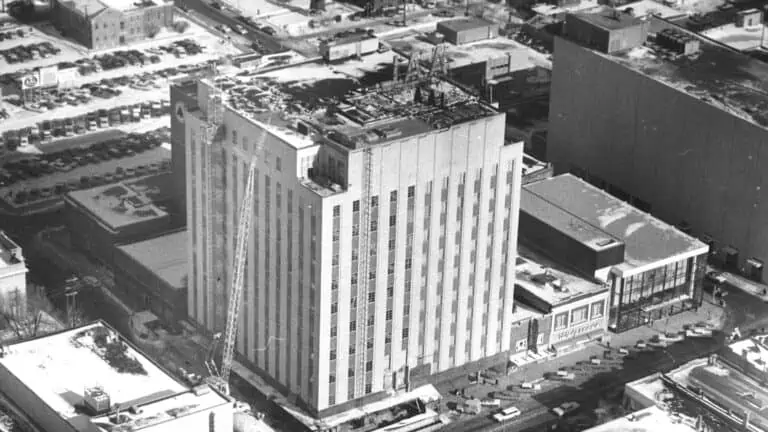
(58,368)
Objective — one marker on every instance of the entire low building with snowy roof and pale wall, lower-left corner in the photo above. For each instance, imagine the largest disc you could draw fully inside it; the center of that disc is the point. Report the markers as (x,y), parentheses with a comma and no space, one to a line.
(73,381)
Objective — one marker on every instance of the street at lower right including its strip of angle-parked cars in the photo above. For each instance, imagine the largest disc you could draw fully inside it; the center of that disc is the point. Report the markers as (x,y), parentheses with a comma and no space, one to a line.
(593,383)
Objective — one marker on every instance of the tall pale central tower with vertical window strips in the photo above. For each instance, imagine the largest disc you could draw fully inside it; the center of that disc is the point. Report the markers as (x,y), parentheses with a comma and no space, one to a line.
(384,227)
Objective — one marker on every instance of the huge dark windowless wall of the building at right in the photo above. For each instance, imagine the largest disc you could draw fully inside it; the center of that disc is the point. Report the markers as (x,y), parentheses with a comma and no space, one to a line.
(644,139)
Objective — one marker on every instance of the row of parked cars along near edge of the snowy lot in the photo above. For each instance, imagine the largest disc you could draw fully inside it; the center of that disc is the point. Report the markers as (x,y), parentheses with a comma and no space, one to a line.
(67,127)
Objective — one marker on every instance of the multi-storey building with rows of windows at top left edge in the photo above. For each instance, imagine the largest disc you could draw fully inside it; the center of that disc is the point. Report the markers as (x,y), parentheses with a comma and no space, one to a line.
(103,24)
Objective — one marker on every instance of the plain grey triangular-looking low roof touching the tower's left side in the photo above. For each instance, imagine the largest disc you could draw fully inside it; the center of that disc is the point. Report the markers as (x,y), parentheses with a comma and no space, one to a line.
(165,256)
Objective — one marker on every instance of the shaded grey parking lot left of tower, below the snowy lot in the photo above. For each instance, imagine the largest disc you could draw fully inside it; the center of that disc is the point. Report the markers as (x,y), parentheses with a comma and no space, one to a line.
(47,176)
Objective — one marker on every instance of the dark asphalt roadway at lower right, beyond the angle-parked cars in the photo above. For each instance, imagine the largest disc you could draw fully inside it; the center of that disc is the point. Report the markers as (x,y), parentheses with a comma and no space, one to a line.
(744,311)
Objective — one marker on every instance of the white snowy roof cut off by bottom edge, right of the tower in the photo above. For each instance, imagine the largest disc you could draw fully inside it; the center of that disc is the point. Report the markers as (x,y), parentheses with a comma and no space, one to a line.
(651,419)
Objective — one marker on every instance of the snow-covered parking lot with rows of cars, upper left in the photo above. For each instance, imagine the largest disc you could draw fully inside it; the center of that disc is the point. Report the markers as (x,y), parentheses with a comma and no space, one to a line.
(108,80)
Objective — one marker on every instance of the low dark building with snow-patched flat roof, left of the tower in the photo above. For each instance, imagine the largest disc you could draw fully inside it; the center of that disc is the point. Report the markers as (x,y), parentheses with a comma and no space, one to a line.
(101,217)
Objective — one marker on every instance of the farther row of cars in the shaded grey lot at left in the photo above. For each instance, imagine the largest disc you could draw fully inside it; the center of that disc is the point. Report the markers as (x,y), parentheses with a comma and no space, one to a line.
(67,160)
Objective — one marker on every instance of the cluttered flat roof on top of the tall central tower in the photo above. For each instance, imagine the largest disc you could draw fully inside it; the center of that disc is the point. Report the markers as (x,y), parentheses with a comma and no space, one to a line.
(351,103)
